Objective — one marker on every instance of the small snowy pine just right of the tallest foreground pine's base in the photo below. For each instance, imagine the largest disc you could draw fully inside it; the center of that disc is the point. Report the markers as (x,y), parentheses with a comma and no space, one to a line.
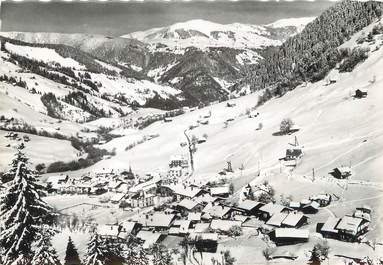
(45,254)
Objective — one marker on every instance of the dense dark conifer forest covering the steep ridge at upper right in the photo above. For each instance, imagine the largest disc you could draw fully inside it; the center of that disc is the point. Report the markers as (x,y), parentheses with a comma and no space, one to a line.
(310,55)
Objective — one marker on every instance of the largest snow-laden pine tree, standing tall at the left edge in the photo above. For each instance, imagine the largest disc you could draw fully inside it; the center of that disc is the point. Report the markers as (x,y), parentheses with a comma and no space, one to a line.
(22,212)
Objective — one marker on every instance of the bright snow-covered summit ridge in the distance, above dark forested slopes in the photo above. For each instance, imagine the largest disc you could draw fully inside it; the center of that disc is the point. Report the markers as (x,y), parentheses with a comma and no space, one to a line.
(201,34)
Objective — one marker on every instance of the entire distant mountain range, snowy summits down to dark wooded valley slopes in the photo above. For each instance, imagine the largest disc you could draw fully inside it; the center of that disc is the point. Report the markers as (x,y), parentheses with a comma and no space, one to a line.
(204,73)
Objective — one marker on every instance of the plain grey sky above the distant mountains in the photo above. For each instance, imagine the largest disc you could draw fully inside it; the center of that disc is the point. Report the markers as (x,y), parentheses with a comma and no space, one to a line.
(119,18)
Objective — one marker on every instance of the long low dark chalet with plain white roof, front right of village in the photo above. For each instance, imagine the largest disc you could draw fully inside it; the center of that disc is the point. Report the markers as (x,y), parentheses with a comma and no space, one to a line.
(289,236)
